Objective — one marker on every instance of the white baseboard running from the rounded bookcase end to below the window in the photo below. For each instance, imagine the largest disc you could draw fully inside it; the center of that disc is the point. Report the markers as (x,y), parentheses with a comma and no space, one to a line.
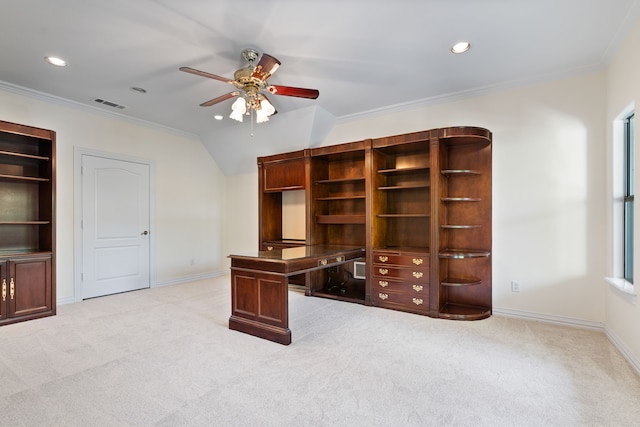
(568,321)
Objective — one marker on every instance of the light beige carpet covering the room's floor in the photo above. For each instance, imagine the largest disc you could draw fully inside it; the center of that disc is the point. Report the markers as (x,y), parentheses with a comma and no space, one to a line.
(165,357)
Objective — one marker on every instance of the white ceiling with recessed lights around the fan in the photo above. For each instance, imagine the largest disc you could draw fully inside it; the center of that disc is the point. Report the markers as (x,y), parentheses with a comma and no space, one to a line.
(361,55)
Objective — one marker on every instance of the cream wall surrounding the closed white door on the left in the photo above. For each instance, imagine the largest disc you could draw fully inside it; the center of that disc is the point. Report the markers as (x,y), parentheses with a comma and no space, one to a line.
(190,188)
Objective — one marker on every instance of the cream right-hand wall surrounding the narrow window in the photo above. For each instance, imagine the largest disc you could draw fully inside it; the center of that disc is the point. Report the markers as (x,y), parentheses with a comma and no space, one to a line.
(623,90)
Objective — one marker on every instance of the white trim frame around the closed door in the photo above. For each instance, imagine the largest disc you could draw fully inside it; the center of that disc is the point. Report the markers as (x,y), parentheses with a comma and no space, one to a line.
(78,152)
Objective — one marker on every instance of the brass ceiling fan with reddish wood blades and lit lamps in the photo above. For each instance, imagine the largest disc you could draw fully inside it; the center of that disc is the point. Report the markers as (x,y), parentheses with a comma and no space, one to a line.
(252,86)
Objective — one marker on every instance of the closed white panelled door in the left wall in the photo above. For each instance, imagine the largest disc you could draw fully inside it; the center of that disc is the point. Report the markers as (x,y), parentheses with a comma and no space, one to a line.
(115,226)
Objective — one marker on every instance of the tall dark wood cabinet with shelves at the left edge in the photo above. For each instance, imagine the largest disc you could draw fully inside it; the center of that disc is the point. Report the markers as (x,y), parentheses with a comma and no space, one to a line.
(27,222)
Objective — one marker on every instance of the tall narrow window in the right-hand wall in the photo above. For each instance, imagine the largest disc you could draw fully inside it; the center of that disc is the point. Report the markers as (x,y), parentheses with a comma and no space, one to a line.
(628,171)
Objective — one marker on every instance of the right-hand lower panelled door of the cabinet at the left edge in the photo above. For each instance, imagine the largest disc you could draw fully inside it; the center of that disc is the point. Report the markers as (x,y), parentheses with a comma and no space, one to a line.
(29,286)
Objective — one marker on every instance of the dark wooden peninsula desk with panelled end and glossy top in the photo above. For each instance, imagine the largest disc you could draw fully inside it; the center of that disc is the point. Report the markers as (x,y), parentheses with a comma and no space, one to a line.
(259,288)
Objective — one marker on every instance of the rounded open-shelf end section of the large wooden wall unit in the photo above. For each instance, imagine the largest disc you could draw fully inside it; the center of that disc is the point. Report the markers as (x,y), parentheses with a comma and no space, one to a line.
(463,205)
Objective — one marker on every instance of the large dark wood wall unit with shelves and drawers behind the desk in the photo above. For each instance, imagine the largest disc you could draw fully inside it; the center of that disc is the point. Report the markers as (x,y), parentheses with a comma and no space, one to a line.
(420,203)
